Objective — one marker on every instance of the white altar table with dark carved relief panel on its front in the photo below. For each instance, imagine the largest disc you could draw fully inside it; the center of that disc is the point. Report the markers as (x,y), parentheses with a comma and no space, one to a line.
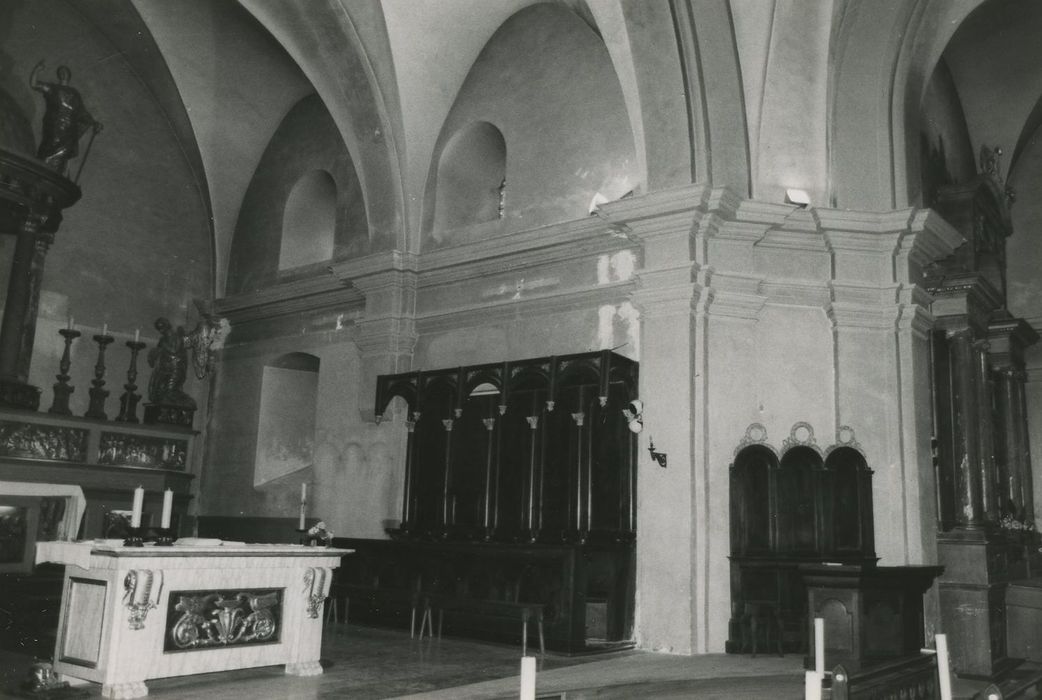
(133,614)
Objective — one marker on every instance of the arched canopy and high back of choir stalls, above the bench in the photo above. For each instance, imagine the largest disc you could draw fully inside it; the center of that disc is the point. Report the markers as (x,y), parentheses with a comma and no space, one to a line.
(535,451)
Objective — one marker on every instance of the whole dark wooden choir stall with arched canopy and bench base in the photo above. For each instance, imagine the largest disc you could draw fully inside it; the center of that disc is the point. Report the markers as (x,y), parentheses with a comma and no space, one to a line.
(519,504)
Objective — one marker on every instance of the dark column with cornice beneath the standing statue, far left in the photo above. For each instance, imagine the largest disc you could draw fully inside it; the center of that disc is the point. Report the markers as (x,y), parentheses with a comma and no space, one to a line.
(32,199)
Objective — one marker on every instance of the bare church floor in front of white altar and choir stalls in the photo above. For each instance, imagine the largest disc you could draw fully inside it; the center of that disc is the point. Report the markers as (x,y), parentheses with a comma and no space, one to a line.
(364,663)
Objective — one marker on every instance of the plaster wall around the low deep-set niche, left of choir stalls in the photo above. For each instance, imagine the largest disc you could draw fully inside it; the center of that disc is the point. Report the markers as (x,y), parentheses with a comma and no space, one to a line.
(358,471)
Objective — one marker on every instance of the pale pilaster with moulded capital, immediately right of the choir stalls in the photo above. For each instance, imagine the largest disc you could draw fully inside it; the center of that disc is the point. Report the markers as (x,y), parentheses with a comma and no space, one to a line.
(671,587)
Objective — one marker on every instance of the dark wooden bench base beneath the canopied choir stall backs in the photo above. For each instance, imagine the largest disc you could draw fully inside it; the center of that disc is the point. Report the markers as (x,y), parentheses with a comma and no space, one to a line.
(480,582)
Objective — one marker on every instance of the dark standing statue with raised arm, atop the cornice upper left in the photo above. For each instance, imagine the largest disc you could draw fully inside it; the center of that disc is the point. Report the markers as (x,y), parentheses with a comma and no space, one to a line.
(66,119)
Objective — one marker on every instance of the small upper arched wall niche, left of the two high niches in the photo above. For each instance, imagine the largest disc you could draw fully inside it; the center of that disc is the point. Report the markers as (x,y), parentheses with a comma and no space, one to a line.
(309,221)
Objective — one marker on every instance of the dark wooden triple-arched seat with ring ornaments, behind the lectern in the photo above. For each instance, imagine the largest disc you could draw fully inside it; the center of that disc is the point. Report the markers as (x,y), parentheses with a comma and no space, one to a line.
(801,508)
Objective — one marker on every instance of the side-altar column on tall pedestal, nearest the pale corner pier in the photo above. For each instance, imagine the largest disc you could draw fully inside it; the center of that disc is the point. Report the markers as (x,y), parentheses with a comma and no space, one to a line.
(973,588)
